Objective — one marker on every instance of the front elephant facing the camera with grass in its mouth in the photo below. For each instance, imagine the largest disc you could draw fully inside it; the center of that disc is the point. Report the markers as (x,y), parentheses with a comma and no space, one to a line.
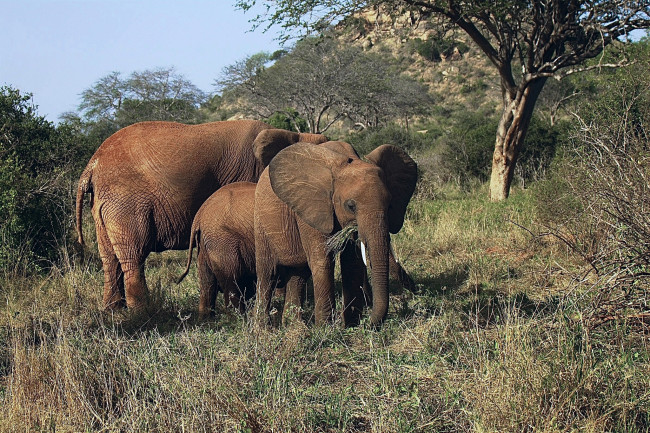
(307,194)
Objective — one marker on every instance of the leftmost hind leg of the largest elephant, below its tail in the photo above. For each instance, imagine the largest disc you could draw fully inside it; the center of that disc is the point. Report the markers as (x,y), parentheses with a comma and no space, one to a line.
(114,297)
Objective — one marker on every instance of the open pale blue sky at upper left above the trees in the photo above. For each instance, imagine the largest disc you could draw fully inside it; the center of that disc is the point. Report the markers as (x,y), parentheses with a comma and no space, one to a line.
(55,49)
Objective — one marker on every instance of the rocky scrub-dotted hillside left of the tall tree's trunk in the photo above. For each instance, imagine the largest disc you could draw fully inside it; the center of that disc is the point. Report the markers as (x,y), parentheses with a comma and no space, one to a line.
(459,76)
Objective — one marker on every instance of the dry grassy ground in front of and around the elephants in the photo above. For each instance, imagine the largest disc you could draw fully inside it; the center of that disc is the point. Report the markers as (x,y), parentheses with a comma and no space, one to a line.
(497,338)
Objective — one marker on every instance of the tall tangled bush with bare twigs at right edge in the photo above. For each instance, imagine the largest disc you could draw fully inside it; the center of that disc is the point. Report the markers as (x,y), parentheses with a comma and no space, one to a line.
(601,204)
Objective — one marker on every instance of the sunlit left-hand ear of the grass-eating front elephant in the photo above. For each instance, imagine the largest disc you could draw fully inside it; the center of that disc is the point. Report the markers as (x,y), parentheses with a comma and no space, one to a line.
(301,176)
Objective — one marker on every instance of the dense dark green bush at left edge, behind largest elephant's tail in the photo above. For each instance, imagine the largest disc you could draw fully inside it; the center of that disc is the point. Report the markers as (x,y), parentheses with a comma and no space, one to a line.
(35,202)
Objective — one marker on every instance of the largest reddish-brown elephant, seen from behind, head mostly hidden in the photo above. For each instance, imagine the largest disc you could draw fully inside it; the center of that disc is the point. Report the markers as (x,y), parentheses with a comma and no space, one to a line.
(147,182)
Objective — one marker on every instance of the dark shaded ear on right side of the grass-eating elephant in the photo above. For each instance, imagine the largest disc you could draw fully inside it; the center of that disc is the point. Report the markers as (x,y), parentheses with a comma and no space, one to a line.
(401,175)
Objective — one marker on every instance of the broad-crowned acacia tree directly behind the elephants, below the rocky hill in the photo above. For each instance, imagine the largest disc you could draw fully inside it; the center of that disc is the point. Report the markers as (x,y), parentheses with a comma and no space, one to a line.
(322,82)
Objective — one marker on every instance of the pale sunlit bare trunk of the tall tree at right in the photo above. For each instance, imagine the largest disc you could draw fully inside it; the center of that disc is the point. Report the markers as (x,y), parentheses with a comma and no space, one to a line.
(515,119)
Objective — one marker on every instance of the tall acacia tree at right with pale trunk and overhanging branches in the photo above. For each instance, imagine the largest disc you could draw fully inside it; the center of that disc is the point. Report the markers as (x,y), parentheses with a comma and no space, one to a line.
(528,42)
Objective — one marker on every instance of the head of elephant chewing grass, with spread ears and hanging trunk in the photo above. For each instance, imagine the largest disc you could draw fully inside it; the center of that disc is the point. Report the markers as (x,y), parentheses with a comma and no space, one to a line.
(330,190)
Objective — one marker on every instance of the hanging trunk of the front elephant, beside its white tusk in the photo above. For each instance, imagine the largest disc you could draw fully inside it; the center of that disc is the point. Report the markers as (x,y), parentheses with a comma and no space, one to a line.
(377,243)
